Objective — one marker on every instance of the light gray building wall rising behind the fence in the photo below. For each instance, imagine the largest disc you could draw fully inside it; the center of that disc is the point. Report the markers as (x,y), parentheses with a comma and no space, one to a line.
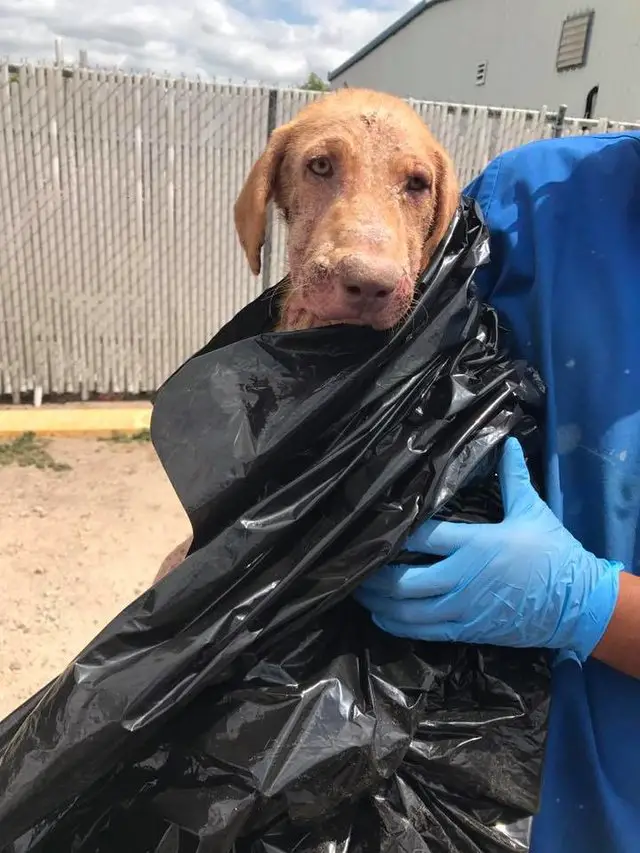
(436,55)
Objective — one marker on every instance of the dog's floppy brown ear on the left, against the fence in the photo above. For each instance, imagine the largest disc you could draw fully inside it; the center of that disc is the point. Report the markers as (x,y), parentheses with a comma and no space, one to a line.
(250,211)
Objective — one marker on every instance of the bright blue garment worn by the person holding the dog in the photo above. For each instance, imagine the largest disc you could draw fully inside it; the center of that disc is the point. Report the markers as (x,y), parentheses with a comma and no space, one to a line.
(564,217)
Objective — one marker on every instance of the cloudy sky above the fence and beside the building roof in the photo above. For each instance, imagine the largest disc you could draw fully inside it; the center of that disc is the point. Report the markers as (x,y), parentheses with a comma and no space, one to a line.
(274,41)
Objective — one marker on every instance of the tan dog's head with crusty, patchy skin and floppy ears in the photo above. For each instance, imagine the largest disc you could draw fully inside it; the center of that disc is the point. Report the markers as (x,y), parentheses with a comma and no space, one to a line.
(367,194)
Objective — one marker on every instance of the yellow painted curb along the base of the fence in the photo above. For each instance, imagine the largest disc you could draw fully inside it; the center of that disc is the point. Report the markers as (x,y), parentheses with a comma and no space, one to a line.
(74,421)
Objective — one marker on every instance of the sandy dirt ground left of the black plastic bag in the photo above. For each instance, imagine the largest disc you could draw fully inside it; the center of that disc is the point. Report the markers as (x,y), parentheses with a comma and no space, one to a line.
(76,546)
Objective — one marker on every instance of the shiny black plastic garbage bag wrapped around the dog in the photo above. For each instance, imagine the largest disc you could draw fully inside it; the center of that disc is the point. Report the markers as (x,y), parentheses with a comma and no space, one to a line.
(246,703)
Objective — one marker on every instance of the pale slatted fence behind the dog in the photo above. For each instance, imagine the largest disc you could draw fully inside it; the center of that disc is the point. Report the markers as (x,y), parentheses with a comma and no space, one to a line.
(118,256)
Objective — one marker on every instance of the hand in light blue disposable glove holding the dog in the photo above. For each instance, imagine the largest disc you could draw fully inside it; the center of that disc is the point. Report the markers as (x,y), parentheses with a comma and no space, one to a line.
(523,582)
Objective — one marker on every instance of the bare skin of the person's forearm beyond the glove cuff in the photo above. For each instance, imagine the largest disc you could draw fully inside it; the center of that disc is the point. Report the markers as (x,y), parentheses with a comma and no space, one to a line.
(620,645)
